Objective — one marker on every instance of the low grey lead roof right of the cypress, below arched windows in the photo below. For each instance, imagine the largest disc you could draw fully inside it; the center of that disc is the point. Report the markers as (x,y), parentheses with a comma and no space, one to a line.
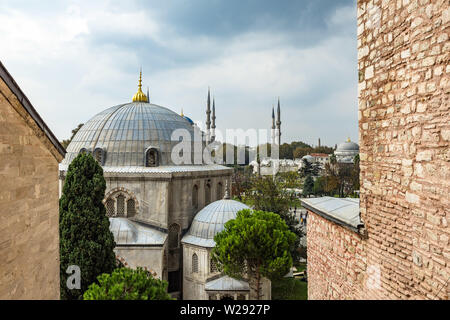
(130,233)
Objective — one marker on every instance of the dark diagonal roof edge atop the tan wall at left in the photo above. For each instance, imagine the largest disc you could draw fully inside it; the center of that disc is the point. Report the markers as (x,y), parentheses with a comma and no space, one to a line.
(14,87)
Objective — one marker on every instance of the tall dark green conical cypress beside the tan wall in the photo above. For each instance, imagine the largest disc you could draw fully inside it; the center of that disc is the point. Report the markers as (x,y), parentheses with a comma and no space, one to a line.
(85,238)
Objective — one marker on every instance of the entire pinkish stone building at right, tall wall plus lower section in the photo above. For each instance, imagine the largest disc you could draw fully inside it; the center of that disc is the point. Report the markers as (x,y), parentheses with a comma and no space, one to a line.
(404,133)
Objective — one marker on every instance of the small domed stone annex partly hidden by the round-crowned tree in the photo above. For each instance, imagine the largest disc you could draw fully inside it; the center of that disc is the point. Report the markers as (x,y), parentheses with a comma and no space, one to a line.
(201,279)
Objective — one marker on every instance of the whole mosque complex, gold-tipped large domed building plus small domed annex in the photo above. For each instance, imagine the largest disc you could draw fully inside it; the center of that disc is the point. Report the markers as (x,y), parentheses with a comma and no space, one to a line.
(163,215)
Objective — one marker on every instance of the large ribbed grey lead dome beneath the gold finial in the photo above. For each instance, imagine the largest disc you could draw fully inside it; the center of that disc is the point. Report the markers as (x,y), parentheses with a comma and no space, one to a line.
(124,132)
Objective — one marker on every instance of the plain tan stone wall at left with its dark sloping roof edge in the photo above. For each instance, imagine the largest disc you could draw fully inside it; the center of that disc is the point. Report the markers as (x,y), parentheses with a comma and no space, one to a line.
(29,210)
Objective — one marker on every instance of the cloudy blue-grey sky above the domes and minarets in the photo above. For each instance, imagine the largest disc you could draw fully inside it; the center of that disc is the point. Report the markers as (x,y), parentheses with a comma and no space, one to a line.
(74,59)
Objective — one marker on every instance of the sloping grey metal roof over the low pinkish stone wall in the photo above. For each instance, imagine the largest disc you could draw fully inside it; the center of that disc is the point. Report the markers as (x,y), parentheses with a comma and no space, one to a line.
(344,211)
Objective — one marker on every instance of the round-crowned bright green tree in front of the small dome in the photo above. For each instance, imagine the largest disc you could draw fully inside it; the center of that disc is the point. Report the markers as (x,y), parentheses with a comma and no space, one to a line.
(254,246)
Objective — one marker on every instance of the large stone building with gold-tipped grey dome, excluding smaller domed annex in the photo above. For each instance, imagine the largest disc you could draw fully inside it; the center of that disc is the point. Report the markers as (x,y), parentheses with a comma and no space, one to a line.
(150,199)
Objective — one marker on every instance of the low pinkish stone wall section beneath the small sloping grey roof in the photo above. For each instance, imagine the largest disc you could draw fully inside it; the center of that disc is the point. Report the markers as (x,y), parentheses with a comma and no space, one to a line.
(336,261)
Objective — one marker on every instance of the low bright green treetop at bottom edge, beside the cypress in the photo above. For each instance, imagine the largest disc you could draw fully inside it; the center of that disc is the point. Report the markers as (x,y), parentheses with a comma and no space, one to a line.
(127,284)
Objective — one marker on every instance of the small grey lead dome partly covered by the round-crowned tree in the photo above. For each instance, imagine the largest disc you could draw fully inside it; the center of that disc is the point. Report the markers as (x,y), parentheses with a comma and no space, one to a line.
(211,220)
